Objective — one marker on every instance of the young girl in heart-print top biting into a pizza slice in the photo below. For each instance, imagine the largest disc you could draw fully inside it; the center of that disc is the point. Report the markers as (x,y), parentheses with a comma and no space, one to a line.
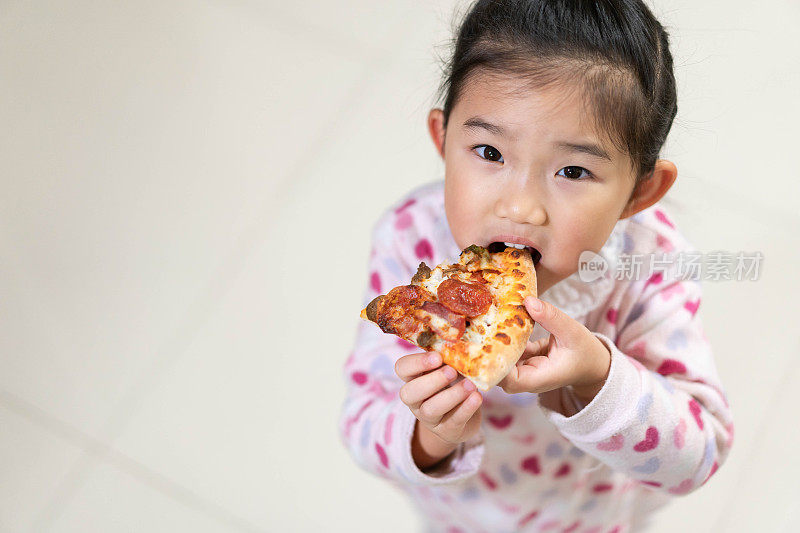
(555,113)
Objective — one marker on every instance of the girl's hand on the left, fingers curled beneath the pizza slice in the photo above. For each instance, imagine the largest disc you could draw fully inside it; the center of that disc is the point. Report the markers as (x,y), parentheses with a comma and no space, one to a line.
(451,413)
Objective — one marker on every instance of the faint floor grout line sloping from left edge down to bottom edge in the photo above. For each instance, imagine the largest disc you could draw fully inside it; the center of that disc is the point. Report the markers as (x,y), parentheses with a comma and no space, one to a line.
(95,449)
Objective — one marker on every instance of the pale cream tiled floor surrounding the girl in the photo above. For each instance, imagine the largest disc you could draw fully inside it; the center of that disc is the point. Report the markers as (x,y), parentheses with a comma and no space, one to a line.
(164,164)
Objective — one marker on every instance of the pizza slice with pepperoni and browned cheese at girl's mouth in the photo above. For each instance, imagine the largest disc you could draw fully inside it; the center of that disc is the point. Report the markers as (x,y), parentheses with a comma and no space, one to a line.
(470,311)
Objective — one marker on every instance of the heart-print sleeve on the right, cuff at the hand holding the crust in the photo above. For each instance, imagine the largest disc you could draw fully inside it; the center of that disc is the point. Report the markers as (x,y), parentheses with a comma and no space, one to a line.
(662,416)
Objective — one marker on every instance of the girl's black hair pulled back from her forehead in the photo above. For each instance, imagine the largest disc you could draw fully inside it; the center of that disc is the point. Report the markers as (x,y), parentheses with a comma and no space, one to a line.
(614,50)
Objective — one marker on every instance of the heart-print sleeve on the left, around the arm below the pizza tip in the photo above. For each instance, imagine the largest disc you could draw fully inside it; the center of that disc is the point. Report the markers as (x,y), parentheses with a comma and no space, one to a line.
(375,425)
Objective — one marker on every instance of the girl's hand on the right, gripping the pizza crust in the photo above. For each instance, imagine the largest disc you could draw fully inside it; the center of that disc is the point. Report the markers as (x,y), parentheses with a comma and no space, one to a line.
(572,355)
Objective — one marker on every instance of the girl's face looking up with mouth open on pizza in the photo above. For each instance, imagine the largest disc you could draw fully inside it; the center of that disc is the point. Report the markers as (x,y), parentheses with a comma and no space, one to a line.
(528,168)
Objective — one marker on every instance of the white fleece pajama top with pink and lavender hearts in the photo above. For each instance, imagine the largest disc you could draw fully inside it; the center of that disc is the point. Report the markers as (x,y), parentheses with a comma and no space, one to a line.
(660,426)
